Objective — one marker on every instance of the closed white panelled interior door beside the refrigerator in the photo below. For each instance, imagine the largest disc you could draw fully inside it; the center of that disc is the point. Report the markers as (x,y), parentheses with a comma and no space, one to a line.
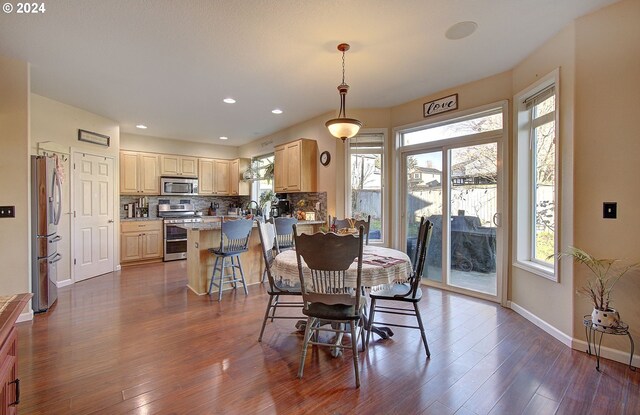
(93,215)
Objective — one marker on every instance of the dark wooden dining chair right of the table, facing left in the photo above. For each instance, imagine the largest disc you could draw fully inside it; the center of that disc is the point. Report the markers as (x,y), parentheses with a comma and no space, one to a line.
(408,292)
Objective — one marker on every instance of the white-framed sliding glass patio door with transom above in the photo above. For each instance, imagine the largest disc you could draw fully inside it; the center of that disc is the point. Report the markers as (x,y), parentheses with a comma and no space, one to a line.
(454,181)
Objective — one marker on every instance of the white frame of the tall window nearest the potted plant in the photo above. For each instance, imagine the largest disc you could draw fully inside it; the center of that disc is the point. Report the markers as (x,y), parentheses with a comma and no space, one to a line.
(524,190)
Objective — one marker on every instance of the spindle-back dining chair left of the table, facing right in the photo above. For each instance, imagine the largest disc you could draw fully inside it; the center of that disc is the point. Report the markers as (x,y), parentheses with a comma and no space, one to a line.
(277,287)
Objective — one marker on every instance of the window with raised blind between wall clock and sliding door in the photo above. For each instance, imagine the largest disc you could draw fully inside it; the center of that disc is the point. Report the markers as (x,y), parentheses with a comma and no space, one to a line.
(366,177)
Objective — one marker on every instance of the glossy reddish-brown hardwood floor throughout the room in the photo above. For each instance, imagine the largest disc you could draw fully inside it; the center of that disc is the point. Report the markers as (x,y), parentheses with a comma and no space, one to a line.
(139,342)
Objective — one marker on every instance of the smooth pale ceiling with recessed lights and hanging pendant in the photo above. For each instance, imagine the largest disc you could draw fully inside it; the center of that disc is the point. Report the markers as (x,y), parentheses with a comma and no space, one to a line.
(169,64)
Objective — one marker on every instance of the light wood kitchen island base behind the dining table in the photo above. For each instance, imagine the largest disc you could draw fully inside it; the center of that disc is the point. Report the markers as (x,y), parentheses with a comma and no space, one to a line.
(205,235)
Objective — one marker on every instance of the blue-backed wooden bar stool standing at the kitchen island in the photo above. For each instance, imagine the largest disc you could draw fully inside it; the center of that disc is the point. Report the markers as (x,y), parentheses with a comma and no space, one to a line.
(234,240)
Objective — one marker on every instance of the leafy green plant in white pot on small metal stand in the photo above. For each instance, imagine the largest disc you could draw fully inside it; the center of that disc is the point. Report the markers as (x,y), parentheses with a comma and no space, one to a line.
(599,286)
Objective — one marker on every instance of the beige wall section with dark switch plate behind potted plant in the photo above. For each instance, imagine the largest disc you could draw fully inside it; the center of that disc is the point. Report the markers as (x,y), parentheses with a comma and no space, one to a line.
(607,152)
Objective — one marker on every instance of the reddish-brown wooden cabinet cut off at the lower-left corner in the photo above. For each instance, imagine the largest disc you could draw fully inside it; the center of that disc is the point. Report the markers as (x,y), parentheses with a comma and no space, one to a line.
(10,309)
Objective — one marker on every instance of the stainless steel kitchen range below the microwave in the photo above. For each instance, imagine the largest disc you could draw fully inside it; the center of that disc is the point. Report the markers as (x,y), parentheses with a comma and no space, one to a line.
(175,237)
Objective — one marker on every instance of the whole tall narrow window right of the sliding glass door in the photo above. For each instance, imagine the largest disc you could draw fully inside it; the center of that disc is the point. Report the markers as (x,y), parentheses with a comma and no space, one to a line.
(537,172)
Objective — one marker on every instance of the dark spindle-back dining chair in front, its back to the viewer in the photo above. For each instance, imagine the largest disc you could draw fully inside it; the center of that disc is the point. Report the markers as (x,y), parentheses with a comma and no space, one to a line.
(327,294)
